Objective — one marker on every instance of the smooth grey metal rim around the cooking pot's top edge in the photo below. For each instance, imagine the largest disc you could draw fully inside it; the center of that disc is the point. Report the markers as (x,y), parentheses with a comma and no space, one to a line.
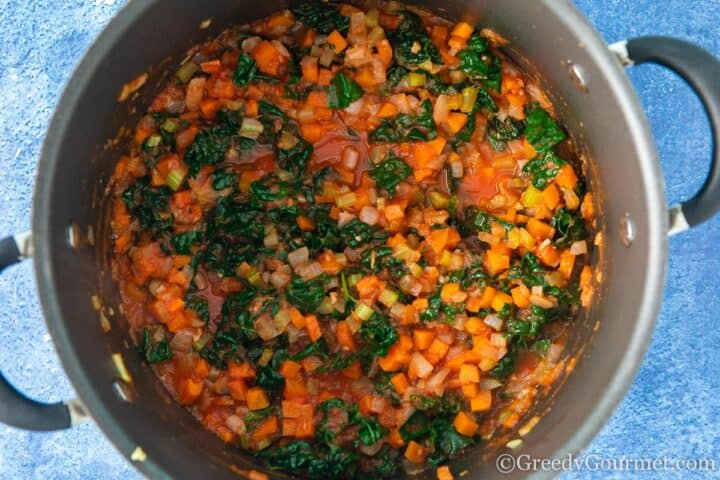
(653,189)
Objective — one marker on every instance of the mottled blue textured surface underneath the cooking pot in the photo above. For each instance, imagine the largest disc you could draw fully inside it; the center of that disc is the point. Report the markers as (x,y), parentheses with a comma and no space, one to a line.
(673,406)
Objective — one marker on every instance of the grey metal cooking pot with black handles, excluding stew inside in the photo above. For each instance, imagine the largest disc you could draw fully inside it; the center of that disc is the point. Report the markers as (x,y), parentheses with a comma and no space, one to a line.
(548,38)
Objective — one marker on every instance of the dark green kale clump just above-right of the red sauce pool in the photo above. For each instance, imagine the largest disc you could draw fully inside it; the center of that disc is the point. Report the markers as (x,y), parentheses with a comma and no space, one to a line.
(407,128)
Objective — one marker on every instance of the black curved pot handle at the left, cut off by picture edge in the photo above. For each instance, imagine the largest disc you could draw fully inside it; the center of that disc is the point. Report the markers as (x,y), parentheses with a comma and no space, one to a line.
(16,409)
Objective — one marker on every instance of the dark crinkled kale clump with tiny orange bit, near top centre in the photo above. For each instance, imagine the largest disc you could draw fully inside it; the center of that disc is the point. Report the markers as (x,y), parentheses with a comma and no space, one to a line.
(411,43)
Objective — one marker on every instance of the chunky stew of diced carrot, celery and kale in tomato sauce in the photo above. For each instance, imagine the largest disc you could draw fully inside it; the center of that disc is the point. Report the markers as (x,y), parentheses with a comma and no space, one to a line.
(351,241)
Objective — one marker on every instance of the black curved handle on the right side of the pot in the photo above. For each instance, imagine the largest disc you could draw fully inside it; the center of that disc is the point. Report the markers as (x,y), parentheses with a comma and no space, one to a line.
(702,71)
